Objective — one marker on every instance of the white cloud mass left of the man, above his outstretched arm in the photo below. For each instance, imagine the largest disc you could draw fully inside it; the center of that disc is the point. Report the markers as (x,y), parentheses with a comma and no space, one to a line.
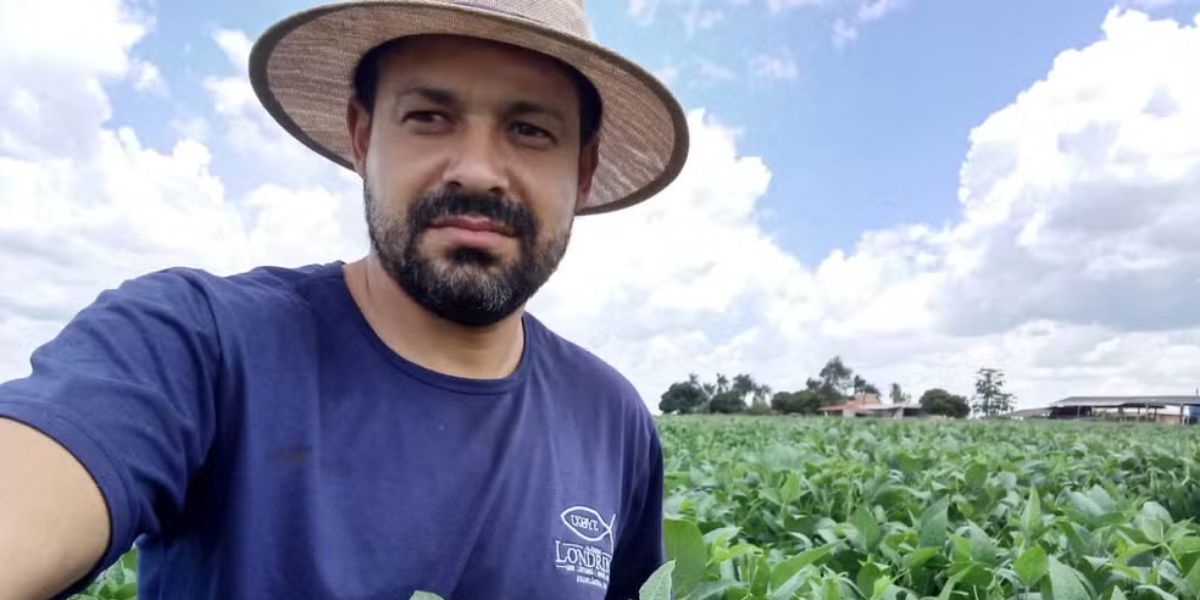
(82,214)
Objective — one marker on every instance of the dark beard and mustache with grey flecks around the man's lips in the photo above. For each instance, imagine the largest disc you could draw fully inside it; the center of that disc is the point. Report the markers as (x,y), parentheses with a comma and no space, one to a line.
(465,285)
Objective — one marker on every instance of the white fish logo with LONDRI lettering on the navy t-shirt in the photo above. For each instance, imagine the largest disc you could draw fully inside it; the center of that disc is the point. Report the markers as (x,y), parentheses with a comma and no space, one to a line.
(589,555)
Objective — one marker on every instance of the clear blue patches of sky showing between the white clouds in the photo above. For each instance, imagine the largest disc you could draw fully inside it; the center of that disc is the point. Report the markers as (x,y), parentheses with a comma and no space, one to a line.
(869,134)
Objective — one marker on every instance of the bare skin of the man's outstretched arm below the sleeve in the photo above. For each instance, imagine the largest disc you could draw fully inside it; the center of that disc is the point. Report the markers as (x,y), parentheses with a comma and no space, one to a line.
(53,520)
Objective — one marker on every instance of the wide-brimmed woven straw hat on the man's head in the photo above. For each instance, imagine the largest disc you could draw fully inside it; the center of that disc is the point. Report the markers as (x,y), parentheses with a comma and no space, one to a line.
(303,68)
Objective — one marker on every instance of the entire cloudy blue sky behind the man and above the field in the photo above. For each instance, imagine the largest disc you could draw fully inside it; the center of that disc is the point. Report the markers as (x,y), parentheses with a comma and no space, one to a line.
(923,188)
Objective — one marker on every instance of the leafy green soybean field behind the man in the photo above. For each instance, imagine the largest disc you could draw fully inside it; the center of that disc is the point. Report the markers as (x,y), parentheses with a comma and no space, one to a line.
(862,509)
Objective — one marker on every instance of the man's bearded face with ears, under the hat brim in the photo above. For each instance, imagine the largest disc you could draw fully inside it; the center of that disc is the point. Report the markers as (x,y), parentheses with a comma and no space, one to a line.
(472,171)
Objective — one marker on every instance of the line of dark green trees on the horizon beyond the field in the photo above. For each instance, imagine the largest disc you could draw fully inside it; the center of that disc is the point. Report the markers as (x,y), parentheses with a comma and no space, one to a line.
(835,385)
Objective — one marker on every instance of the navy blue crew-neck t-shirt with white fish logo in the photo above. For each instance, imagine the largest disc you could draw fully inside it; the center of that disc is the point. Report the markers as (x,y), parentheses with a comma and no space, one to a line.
(257,440)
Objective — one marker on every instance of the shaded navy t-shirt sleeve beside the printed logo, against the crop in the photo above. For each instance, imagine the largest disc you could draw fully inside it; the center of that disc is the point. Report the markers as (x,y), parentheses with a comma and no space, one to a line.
(640,549)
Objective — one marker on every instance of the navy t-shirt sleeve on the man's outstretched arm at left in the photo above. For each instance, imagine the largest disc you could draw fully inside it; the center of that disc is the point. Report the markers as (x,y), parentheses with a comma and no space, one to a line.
(128,388)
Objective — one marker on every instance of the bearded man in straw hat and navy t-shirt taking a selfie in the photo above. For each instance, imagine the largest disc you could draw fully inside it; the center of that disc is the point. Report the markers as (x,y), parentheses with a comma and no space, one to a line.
(395,424)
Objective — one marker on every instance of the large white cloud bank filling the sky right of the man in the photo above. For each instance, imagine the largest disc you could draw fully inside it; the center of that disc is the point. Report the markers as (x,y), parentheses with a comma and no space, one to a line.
(1075,266)
